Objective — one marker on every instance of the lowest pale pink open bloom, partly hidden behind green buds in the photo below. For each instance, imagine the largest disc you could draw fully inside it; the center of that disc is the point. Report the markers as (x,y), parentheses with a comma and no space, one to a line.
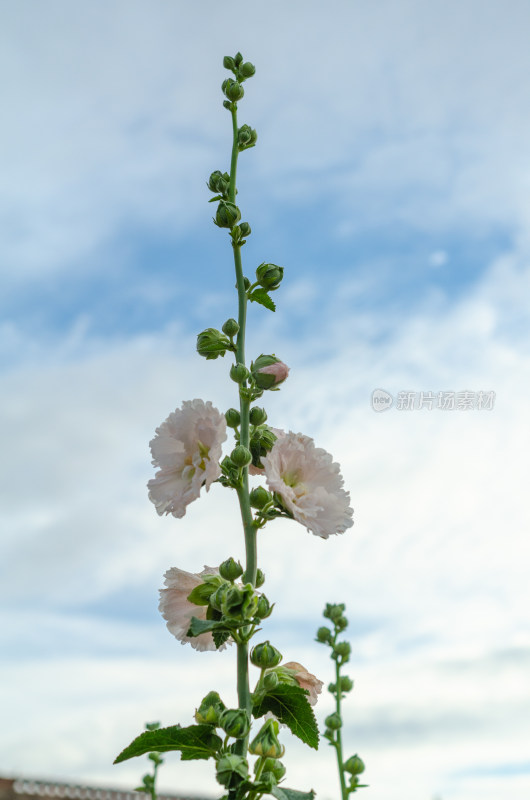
(177,609)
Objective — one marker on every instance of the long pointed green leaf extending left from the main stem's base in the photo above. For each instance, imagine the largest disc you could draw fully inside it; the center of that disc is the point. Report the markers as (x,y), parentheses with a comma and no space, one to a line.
(195,741)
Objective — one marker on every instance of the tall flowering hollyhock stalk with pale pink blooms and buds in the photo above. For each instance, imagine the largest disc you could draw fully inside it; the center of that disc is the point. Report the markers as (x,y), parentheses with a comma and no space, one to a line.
(223,606)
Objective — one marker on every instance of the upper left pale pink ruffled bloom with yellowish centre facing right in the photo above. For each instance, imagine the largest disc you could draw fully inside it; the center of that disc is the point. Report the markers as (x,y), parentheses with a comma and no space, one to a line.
(187,448)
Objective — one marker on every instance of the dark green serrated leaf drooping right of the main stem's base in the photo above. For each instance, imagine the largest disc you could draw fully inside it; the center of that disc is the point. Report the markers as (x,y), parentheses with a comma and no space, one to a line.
(290,705)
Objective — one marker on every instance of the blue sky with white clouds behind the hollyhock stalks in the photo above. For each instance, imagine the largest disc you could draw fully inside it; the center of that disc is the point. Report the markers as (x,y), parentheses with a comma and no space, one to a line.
(391,180)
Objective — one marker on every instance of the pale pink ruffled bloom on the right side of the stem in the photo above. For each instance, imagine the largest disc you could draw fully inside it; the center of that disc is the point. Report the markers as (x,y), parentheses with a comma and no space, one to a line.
(309,484)
